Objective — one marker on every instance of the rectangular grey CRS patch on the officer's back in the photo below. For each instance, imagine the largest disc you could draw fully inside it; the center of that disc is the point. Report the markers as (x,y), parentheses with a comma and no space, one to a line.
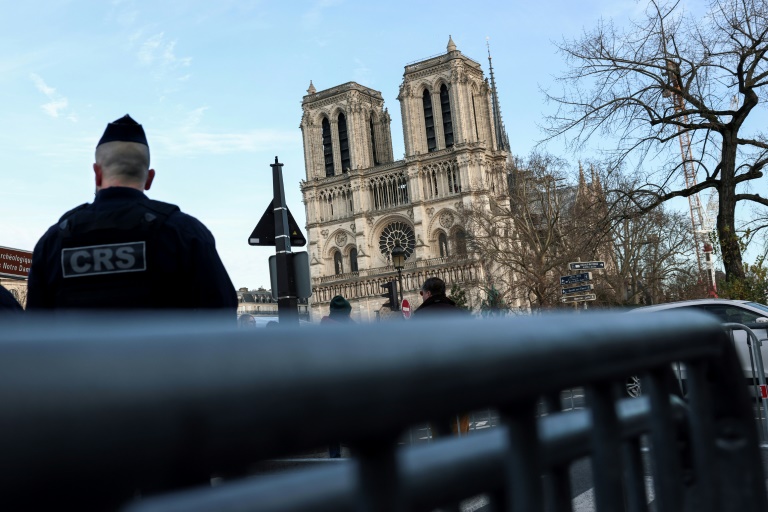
(104,259)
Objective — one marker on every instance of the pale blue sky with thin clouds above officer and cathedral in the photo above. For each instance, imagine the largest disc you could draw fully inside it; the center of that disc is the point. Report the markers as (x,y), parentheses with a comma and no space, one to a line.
(218,87)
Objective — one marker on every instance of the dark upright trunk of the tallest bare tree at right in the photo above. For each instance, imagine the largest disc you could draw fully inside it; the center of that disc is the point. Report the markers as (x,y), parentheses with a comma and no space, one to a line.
(726,215)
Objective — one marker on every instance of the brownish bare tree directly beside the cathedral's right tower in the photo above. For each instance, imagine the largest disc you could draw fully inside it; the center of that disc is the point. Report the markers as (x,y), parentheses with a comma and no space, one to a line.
(527,243)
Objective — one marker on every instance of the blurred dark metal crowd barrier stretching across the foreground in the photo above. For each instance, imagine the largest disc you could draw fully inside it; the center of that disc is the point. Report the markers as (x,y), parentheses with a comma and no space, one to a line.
(96,409)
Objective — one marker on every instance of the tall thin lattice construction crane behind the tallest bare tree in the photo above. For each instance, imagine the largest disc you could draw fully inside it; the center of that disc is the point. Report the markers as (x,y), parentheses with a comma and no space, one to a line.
(701,220)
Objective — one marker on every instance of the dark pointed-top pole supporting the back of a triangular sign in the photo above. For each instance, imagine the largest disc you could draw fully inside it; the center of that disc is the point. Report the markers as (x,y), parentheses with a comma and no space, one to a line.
(287,302)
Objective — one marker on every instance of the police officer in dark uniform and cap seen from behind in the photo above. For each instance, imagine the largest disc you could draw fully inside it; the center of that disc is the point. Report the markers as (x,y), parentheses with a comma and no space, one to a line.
(124,250)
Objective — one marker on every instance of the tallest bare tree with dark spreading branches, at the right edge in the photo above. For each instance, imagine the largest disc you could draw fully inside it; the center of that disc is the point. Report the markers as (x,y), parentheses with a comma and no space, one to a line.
(668,82)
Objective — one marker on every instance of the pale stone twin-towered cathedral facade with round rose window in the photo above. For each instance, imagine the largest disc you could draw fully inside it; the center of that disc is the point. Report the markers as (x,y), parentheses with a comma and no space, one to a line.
(361,203)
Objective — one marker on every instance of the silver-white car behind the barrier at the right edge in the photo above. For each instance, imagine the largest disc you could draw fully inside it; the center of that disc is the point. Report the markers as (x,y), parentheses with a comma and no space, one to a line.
(728,311)
